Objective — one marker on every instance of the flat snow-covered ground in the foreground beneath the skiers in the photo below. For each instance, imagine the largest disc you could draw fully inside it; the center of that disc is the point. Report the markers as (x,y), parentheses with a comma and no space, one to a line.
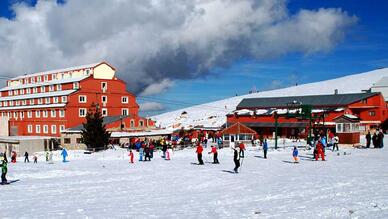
(105,185)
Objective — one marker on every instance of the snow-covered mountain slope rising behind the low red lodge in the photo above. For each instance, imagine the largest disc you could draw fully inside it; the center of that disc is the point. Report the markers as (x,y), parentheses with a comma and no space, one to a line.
(213,114)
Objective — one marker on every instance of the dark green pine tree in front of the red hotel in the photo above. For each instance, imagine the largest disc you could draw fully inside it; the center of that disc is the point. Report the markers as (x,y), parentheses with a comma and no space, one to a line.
(94,133)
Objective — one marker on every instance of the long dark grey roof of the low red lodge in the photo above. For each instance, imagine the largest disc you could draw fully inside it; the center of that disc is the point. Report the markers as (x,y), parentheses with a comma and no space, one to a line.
(330,100)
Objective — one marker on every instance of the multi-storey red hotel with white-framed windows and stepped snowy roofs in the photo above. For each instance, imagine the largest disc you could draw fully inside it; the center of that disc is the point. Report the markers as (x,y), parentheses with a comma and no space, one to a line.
(47,103)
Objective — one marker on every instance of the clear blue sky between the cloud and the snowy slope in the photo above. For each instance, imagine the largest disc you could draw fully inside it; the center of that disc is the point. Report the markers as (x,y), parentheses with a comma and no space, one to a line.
(364,48)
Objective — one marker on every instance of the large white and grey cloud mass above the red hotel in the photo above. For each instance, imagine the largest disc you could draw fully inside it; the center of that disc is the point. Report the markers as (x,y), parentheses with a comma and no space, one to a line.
(155,42)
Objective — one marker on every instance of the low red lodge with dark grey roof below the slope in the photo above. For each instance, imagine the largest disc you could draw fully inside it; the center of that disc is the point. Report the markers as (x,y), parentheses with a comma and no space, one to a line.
(258,113)
